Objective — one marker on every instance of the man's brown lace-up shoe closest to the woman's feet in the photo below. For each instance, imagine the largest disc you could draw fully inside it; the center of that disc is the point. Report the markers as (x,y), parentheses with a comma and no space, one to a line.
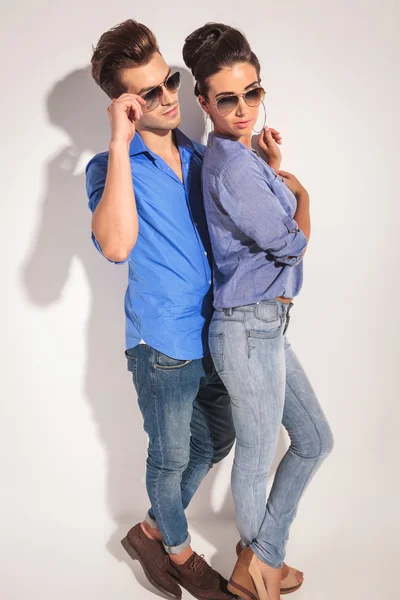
(198,578)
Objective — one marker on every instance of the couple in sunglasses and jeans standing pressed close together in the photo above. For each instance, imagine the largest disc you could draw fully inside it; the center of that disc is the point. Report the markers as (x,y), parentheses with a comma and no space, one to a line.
(208,355)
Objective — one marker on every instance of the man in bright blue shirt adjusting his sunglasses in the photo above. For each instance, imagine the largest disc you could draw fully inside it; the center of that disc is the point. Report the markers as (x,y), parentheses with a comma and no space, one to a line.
(145,195)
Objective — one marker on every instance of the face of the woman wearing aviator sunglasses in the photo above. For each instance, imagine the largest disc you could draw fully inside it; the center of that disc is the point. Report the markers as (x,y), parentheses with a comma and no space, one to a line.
(240,121)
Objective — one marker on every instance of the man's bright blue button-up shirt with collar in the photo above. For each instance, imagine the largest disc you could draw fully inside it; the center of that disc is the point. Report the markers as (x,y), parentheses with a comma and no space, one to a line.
(168,302)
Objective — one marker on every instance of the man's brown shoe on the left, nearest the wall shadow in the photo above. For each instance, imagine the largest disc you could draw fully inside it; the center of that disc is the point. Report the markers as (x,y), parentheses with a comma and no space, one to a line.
(154,560)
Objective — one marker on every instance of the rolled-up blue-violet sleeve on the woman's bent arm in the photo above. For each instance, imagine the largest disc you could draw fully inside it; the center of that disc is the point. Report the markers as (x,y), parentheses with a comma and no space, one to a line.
(245,195)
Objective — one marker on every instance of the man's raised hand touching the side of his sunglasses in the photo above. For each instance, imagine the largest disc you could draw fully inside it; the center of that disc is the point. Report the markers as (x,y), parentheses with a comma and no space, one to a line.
(123,112)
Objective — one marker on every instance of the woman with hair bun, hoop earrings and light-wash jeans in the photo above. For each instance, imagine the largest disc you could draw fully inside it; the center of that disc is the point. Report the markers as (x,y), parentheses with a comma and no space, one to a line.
(259,227)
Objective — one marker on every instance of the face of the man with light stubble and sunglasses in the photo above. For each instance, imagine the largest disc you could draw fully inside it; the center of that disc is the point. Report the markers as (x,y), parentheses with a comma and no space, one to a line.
(139,80)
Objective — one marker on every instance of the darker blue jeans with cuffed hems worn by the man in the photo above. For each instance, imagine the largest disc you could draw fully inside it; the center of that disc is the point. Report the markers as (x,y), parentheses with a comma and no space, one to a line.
(188,419)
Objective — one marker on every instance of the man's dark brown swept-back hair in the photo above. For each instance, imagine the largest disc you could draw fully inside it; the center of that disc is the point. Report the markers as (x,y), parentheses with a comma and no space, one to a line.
(129,44)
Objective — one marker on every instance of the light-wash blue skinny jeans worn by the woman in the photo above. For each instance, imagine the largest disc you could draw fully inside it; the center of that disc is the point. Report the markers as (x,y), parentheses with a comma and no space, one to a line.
(267,386)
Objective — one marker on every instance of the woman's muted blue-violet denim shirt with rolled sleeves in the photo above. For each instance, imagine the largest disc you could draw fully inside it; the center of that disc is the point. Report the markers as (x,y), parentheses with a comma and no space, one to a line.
(257,245)
